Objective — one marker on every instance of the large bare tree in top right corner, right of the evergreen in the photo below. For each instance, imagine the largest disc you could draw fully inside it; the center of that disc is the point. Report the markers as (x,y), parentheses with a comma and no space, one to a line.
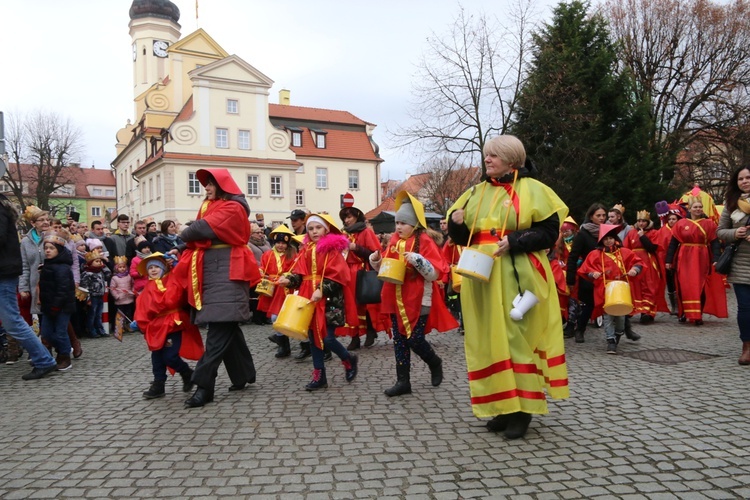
(687,56)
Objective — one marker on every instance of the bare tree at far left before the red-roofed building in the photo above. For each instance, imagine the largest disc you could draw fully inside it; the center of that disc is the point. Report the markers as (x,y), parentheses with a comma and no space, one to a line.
(40,147)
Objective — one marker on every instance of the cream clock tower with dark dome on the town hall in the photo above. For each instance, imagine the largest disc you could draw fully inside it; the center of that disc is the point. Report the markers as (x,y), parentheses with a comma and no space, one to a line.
(154,28)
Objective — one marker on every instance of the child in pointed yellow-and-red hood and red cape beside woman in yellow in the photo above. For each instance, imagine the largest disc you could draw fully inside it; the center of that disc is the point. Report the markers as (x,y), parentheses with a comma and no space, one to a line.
(415,306)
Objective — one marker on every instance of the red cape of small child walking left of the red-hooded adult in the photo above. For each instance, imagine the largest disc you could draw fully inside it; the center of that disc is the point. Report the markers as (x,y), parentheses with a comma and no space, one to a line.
(160,311)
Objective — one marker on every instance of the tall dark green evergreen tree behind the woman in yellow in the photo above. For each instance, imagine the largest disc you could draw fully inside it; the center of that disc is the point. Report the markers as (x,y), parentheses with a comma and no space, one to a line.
(579,118)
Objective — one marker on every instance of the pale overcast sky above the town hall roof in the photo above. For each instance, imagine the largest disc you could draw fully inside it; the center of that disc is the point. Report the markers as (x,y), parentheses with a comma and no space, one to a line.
(73,57)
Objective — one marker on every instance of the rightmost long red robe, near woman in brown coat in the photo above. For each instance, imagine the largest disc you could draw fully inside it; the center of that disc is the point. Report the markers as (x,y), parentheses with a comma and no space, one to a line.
(694,270)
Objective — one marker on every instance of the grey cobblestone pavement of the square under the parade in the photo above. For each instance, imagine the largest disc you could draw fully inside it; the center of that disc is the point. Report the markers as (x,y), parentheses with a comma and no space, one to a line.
(631,429)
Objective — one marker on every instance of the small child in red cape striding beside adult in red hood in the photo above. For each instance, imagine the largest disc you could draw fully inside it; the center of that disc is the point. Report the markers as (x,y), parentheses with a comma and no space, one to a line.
(166,326)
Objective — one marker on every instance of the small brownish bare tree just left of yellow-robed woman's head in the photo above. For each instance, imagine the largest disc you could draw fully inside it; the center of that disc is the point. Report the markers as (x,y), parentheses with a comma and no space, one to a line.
(446,181)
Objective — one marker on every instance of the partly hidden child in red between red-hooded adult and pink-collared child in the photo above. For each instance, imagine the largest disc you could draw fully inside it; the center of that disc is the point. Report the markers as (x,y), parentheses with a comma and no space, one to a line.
(273,265)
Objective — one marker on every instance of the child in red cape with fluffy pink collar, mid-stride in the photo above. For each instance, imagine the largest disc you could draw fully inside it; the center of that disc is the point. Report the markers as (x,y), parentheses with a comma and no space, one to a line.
(321,274)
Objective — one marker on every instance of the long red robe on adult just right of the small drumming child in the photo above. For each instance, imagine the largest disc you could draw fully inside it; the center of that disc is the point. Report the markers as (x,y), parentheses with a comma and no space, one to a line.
(648,290)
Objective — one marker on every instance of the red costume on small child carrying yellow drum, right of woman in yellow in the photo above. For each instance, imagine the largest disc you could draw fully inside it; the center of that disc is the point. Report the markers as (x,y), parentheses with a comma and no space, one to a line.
(613,266)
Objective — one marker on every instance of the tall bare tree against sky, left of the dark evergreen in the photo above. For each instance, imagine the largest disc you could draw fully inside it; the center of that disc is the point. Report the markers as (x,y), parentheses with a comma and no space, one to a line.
(467,84)
